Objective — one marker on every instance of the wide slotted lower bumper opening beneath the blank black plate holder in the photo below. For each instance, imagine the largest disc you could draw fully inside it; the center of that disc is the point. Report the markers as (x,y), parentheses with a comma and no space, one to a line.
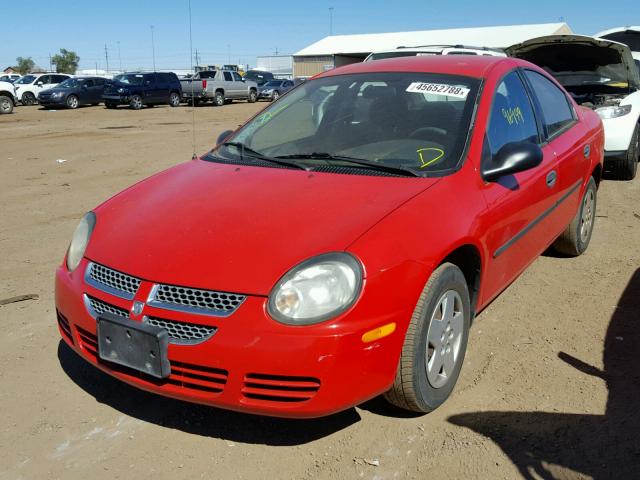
(184,376)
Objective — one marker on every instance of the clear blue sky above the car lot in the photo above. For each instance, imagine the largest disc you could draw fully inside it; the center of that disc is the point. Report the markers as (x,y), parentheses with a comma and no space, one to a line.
(240,30)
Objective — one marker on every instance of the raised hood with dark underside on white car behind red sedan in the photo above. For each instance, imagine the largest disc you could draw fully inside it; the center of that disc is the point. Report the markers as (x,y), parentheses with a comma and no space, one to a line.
(563,55)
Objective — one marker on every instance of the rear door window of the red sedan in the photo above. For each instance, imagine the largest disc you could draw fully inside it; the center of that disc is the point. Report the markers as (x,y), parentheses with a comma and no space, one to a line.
(556,110)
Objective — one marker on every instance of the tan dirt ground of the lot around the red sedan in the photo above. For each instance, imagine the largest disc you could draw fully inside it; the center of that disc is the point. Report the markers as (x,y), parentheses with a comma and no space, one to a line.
(550,387)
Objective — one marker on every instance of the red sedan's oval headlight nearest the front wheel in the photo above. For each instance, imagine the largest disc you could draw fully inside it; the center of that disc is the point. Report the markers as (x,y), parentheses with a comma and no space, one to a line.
(316,290)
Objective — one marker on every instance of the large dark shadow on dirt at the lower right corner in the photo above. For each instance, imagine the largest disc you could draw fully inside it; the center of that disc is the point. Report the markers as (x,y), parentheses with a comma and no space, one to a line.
(600,446)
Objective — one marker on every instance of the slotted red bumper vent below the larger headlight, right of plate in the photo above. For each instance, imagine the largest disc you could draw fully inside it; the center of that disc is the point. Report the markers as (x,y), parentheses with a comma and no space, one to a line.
(279,388)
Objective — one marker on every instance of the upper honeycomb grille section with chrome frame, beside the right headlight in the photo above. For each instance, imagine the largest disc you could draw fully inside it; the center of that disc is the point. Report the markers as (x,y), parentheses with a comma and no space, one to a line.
(195,300)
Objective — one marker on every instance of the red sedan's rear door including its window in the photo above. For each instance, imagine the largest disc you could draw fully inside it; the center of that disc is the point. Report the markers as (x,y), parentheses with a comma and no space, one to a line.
(566,138)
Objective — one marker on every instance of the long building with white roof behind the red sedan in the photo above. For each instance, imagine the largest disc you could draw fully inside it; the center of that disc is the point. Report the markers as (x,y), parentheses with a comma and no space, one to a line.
(337,50)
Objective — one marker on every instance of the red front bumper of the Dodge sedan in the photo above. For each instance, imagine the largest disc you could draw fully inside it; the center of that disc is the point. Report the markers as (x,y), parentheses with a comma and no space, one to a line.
(252,363)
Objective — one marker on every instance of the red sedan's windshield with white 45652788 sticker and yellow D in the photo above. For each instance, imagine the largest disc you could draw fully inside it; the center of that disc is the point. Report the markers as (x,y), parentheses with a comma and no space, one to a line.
(416,121)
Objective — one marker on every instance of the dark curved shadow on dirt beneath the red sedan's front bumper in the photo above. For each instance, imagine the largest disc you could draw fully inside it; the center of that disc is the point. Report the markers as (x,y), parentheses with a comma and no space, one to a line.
(194,418)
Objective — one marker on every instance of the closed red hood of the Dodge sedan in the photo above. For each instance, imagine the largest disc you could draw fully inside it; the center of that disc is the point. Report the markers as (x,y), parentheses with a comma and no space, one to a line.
(238,228)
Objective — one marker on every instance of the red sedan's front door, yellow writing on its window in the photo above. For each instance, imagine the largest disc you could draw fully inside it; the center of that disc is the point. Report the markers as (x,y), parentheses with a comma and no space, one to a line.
(519,205)
